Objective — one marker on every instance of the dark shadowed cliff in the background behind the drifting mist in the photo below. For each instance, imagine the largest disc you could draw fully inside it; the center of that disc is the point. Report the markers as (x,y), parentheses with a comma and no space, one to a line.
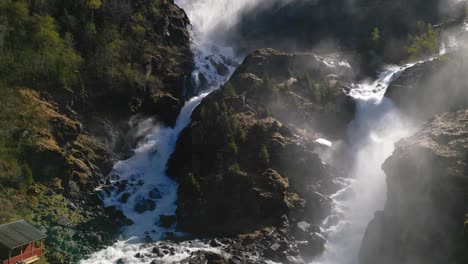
(347,25)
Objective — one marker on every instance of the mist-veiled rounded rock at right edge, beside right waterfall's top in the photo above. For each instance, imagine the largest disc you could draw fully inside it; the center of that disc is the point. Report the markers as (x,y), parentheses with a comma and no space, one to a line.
(432,87)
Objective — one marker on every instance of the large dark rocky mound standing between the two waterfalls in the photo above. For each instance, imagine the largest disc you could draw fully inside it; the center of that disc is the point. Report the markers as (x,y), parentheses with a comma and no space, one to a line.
(243,162)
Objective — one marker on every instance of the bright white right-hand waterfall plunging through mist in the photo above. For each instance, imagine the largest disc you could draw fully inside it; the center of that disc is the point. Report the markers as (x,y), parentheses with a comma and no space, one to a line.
(372,134)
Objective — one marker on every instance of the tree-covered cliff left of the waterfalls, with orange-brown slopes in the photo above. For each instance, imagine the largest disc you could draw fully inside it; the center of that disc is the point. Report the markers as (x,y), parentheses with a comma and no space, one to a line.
(72,75)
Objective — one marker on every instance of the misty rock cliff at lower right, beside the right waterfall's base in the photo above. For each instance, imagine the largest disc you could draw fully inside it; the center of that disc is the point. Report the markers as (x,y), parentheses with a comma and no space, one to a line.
(424,216)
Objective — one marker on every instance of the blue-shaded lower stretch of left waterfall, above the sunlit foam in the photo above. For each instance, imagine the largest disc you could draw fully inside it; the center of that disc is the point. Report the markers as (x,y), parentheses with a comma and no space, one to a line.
(147,183)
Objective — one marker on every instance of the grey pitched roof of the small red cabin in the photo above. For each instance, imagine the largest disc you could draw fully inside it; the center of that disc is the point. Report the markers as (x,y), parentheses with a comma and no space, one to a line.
(18,234)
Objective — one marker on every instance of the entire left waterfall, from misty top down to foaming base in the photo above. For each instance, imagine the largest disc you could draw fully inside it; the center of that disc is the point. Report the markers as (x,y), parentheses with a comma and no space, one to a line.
(146,192)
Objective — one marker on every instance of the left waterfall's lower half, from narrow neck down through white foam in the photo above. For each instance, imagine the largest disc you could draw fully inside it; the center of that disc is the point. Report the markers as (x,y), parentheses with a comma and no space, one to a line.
(147,181)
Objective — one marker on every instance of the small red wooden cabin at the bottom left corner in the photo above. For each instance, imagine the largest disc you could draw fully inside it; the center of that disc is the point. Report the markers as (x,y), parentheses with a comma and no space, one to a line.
(20,242)
